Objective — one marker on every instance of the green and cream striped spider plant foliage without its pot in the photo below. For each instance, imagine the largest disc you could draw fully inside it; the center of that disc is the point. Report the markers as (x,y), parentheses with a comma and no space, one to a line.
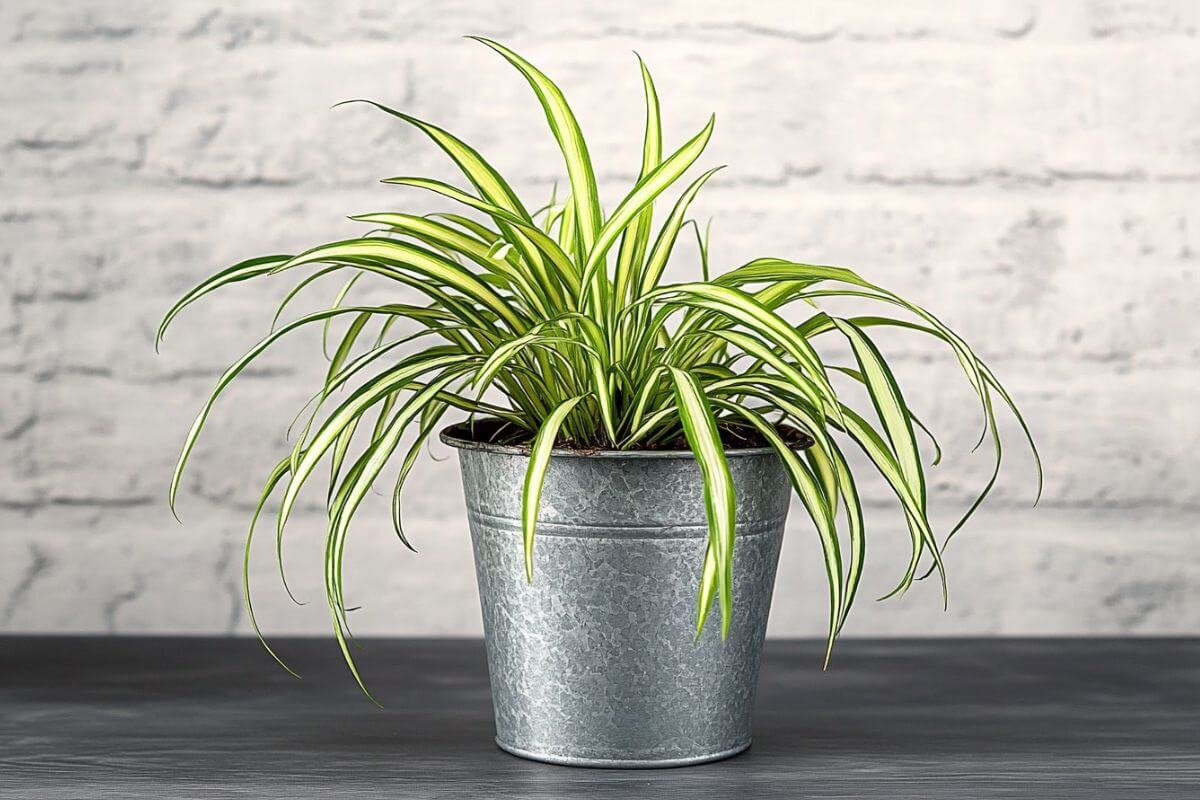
(565,315)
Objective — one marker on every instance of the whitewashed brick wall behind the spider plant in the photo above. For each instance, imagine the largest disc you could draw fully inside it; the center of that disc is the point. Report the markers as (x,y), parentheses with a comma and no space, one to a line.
(1028,170)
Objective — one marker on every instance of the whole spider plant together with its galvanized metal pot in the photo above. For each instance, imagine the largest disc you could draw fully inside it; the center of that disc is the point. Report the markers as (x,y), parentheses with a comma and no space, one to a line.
(647,432)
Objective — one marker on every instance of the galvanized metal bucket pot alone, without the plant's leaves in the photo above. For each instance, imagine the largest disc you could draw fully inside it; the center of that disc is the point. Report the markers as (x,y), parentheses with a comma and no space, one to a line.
(596,663)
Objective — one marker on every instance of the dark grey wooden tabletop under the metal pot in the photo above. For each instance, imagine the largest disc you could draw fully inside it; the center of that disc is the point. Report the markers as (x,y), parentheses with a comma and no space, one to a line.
(200,718)
